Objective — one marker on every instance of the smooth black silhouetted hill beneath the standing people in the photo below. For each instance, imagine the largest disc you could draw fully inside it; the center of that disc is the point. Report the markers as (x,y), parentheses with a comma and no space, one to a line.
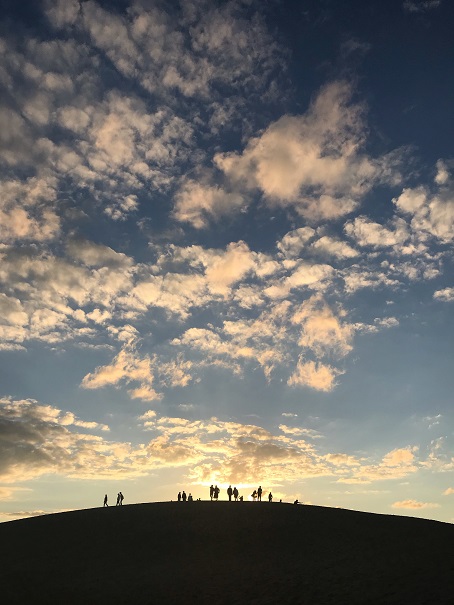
(221,552)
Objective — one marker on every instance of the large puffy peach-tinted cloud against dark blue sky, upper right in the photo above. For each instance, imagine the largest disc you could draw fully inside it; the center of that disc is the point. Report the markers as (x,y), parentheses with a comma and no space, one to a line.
(312,163)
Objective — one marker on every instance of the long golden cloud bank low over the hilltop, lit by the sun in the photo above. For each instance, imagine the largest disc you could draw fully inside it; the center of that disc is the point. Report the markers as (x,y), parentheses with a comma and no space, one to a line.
(37,439)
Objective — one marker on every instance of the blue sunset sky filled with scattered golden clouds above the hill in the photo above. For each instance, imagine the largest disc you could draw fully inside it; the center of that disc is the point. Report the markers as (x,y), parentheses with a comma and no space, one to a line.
(226,241)
